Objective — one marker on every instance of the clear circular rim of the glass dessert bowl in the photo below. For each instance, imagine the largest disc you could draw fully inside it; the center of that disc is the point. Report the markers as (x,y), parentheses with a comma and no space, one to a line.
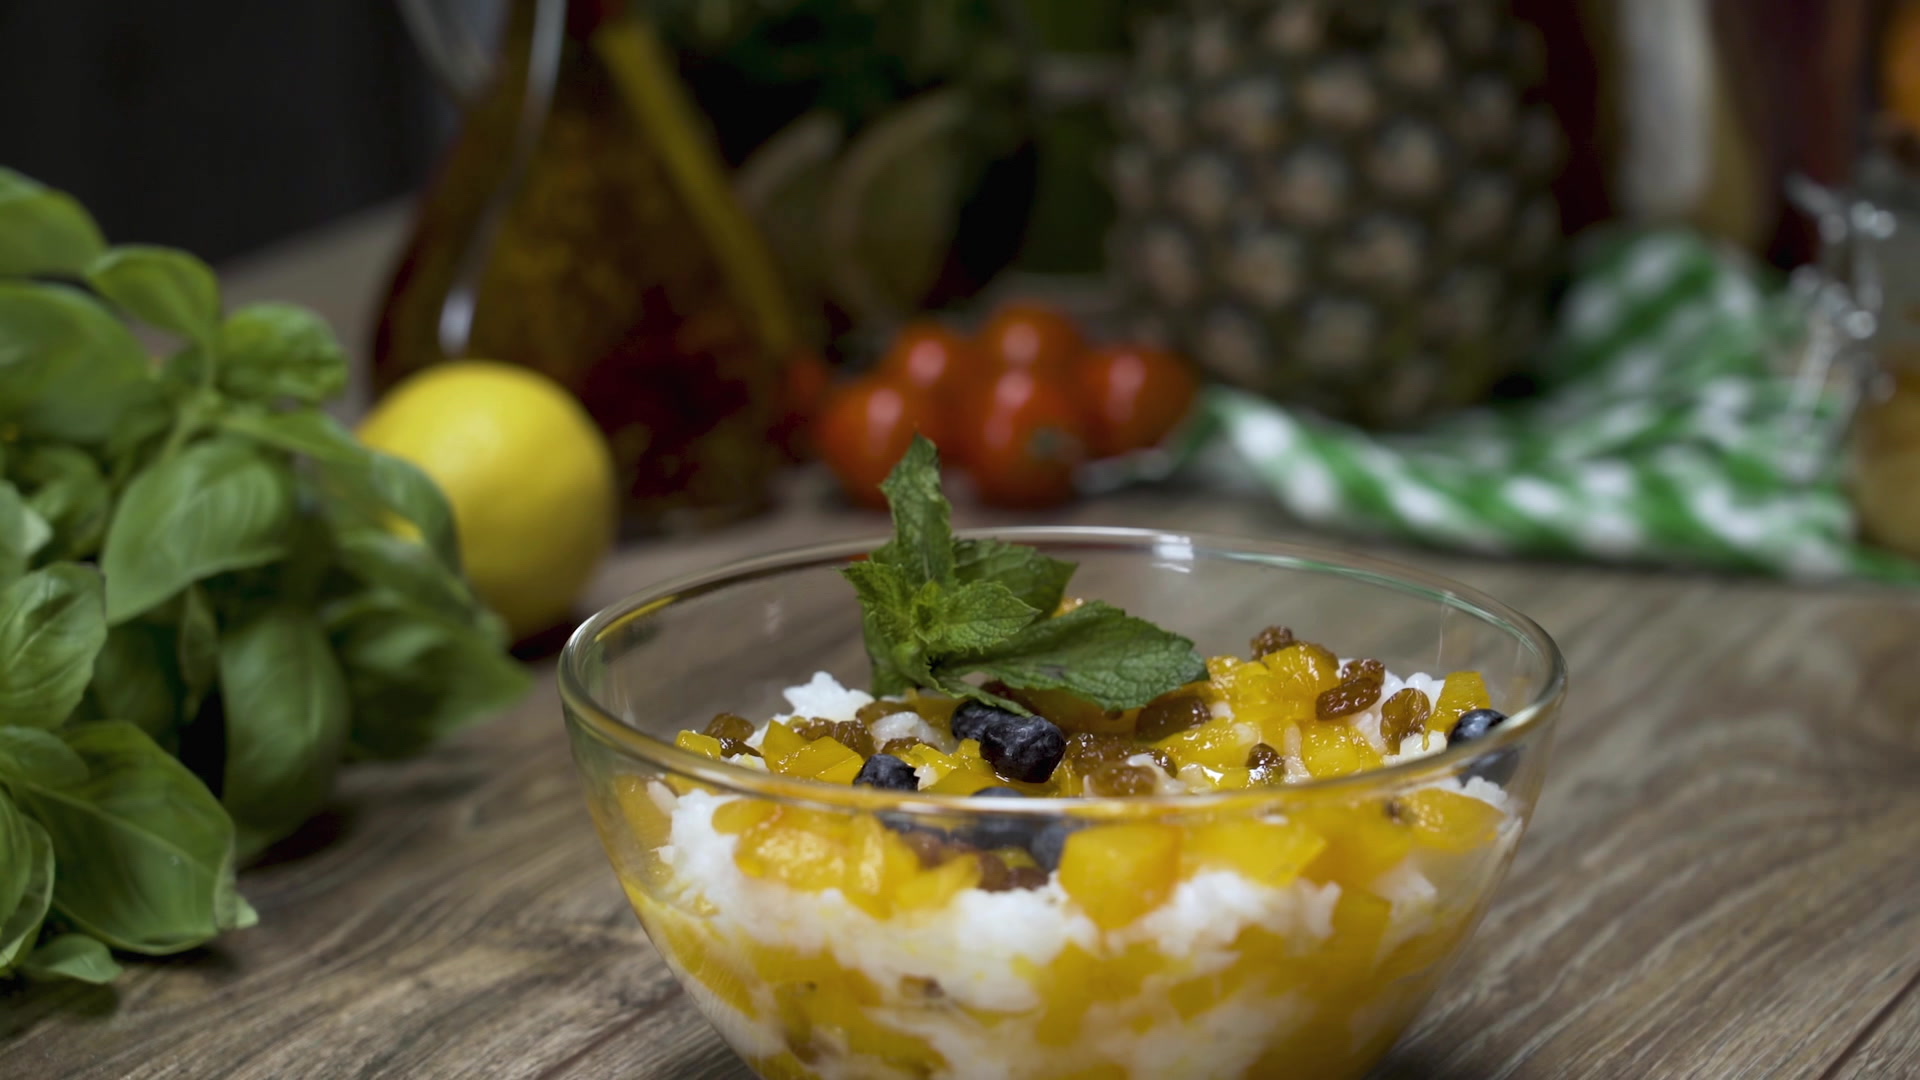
(600,724)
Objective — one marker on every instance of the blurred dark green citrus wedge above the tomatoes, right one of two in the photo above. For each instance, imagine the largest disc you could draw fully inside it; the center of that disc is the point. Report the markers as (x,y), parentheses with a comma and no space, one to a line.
(894,205)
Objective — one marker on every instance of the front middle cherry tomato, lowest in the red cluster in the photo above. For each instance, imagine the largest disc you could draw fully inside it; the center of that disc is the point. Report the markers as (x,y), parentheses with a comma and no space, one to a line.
(1024,439)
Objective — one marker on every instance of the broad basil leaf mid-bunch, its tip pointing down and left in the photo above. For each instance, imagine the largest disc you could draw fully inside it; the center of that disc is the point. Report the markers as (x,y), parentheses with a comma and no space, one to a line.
(218,506)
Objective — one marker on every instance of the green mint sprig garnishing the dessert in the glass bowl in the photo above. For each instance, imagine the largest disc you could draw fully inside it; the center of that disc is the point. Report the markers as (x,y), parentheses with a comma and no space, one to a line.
(938,610)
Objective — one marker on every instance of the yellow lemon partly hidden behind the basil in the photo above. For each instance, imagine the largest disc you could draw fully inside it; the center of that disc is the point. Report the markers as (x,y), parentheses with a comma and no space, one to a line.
(527,472)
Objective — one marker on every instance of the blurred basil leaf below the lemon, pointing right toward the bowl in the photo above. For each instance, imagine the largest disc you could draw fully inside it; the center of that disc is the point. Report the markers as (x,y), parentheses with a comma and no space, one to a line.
(416,677)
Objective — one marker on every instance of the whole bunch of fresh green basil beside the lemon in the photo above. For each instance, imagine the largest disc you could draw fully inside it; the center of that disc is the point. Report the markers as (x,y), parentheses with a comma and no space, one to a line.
(212,595)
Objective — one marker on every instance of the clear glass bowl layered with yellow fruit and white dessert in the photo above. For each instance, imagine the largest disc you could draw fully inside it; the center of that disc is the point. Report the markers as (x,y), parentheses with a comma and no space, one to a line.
(848,931)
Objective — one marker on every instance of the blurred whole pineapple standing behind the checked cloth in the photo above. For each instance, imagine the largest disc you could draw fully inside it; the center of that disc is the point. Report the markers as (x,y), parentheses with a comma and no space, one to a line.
(1339,205)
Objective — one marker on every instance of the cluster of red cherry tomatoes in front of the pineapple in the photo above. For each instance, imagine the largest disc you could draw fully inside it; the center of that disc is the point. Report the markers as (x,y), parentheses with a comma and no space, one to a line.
(1020,406)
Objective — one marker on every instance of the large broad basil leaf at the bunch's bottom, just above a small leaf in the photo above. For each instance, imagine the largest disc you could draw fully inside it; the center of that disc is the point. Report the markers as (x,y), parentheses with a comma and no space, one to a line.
(147,854)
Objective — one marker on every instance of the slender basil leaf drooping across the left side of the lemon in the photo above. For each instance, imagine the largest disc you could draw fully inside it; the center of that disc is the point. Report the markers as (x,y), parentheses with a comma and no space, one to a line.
(358,483)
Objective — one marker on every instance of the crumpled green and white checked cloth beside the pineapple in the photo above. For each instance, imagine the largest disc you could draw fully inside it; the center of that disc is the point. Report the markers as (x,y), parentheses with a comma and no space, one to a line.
(1666,433)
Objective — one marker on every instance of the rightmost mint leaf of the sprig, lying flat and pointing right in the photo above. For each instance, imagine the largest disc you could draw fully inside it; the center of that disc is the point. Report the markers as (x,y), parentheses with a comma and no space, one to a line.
(1097,652)
